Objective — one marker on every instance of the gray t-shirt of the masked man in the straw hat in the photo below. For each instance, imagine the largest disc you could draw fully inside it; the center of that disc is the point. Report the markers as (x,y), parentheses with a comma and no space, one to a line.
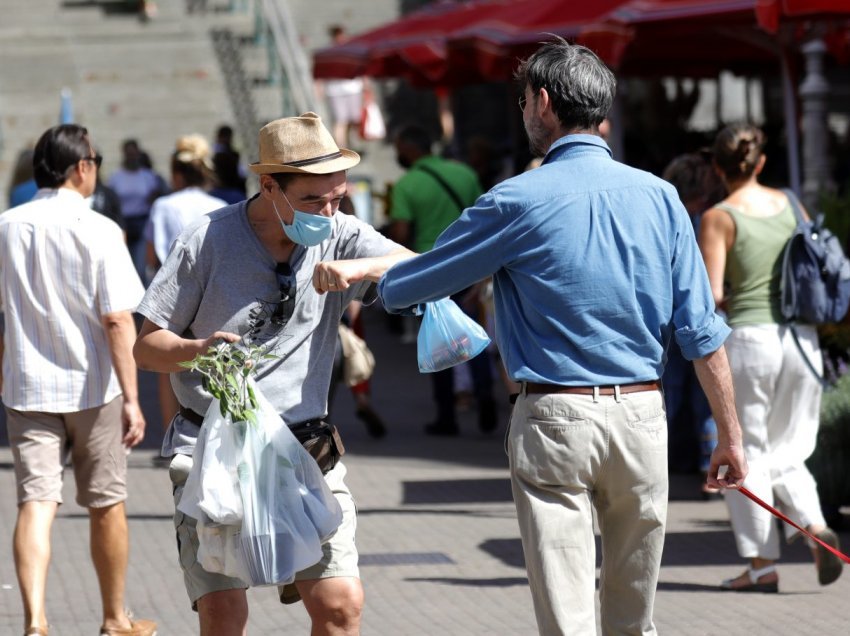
(219,277)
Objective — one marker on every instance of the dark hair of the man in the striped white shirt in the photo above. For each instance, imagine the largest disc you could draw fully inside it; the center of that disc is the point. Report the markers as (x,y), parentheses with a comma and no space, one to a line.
(57,152)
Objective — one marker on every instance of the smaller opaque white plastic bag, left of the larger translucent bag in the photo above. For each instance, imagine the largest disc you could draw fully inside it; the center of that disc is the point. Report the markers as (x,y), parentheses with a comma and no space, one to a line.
(212,487)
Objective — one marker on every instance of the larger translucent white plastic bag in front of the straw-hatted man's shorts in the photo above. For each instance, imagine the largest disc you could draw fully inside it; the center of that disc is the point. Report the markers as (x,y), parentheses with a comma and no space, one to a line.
(289,510)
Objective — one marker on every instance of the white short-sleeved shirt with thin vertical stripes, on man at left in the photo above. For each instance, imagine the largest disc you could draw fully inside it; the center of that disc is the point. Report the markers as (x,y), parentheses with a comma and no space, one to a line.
(62,267)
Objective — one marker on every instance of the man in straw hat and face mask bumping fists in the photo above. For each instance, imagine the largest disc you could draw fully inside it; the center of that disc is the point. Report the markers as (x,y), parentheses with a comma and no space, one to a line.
(255,271)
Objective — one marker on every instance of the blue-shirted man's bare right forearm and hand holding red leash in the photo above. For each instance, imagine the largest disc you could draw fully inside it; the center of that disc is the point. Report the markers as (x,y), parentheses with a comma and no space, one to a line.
(716,380)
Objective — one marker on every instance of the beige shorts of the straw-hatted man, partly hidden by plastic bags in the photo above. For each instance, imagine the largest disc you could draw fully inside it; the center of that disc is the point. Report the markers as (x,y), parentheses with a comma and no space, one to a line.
(339,553)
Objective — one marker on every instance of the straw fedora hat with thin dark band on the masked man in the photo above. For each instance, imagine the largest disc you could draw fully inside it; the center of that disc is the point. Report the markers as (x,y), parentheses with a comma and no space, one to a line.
(302,145)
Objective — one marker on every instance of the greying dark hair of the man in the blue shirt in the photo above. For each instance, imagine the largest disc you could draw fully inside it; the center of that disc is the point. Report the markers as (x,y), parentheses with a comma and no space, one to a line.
(579,84)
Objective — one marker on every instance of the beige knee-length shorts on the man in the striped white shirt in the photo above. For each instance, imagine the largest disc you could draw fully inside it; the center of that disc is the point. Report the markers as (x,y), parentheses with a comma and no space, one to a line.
(42,442)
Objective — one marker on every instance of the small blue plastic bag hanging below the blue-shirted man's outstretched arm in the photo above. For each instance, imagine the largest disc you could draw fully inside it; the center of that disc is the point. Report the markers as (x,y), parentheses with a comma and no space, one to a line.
(447,337)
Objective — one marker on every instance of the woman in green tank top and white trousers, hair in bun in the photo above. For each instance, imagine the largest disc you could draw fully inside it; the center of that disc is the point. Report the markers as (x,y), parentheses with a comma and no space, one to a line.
(776,395)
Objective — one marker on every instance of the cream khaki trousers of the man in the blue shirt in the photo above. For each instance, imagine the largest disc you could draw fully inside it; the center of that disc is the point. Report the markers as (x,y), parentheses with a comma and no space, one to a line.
(571,455)
